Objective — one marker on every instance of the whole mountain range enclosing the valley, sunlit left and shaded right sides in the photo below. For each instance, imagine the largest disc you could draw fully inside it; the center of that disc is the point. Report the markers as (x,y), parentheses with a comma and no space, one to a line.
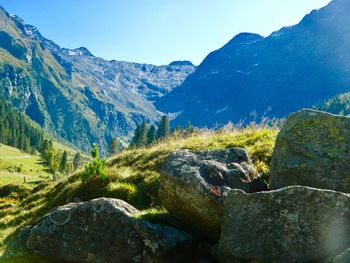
(82,99)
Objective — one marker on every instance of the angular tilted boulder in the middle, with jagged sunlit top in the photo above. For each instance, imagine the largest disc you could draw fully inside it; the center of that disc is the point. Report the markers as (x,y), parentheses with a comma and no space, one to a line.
(192,185)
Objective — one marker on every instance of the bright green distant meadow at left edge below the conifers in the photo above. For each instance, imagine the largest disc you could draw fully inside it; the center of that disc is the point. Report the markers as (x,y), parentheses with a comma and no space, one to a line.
(16,165)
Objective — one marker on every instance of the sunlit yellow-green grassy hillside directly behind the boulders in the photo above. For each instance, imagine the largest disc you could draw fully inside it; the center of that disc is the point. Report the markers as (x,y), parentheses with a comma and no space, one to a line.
(134,177)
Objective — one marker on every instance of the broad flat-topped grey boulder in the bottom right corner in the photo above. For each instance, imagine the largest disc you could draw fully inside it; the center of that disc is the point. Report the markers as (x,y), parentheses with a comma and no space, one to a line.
(293,224)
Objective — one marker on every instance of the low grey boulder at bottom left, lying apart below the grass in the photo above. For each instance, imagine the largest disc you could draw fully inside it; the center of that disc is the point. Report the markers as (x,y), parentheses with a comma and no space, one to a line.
(101,230)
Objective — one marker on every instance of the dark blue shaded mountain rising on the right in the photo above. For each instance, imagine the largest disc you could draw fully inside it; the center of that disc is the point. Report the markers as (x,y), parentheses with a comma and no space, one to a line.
(293,68)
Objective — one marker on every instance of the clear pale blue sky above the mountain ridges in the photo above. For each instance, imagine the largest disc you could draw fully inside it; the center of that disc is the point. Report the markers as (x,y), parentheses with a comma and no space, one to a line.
(156,31)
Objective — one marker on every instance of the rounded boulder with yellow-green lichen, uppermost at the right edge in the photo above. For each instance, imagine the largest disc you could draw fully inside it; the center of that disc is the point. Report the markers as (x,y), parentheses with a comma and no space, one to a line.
(312,149)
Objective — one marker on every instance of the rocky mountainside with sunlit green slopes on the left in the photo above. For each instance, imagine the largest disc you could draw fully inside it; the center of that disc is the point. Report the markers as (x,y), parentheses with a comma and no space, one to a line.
(74,95)
